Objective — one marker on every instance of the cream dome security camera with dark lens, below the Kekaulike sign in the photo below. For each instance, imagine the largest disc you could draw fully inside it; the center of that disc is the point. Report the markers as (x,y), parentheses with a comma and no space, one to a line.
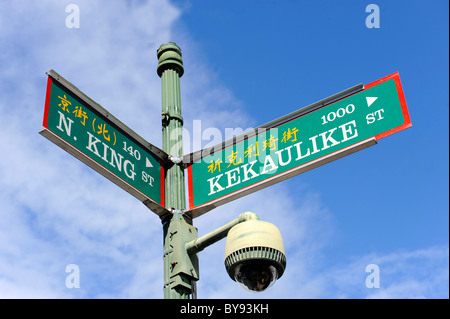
(254,255)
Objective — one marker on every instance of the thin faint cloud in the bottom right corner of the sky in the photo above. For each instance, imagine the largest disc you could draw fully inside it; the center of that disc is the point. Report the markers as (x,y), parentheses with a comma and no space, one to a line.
(421,273)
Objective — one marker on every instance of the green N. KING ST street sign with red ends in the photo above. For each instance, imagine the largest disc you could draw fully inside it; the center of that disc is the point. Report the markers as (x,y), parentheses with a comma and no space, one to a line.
(87,131)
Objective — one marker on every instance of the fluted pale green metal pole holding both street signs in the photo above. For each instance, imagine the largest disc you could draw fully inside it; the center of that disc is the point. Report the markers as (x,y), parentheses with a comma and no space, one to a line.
(180,269)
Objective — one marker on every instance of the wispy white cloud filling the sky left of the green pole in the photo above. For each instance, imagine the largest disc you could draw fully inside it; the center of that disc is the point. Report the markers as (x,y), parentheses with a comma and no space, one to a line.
(55,211)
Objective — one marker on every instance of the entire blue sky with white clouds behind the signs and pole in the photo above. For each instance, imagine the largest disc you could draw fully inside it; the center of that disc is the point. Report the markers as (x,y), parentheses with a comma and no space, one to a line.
(246,63)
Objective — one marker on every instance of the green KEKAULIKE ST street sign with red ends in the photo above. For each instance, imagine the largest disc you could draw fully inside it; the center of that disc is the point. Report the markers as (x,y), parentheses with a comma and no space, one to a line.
(295,144)
